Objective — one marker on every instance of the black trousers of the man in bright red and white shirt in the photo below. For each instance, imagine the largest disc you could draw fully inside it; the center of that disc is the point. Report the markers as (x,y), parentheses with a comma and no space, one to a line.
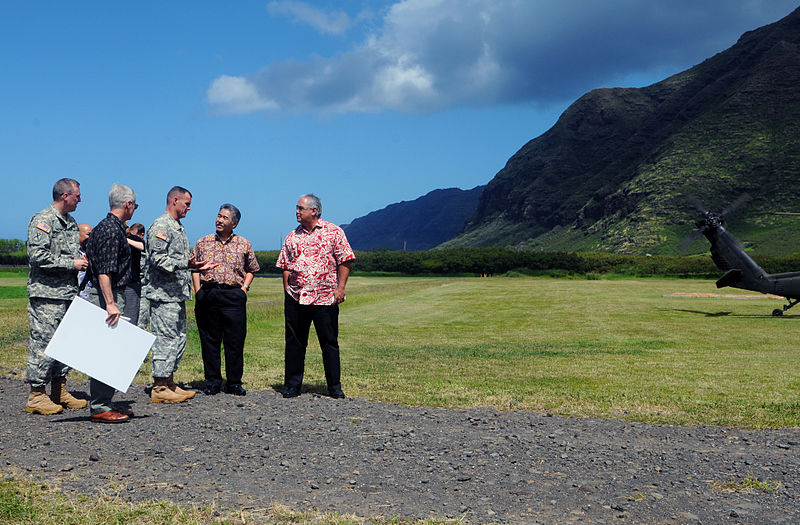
(298,319)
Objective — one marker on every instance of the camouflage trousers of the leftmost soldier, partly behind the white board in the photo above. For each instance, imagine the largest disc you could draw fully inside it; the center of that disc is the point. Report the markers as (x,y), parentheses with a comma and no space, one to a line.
(44,316)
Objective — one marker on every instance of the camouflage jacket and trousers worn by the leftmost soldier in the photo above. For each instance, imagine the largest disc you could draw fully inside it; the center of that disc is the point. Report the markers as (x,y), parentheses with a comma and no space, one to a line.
(52,284)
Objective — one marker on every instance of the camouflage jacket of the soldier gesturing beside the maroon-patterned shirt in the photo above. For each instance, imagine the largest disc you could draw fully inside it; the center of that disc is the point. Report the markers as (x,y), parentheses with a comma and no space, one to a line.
(166,275)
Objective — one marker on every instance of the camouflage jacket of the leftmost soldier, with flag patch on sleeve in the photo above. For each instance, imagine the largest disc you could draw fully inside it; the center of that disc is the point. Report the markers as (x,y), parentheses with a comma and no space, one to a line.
(52,250)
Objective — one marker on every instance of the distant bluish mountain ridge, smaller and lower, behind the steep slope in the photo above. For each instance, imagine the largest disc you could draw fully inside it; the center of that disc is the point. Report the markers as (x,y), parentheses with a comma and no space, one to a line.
(420,224)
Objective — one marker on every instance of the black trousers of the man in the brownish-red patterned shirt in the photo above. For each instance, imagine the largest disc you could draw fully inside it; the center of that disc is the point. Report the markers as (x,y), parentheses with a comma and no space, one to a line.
(221,315)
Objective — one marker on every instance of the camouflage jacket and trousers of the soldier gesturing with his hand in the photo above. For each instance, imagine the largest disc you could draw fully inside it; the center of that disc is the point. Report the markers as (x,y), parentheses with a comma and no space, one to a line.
(167,284)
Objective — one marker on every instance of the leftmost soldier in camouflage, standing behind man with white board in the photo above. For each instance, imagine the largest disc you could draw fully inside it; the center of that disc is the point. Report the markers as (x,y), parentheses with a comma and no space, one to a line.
(54,258)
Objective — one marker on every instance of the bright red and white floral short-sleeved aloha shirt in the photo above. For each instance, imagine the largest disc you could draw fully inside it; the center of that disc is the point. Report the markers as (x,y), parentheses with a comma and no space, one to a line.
(312,259)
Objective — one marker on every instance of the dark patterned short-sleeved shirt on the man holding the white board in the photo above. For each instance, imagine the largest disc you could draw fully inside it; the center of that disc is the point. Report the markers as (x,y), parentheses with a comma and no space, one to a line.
(109,252)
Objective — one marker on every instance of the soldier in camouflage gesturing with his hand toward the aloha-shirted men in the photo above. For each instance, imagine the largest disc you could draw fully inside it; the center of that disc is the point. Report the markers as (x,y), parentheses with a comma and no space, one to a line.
(167,285)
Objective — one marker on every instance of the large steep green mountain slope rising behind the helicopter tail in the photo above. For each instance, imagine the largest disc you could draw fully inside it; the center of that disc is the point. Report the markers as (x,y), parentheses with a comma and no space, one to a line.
(611,174)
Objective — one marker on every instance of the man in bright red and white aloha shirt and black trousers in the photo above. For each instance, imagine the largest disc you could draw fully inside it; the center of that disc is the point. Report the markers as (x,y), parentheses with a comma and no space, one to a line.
(315,260)
